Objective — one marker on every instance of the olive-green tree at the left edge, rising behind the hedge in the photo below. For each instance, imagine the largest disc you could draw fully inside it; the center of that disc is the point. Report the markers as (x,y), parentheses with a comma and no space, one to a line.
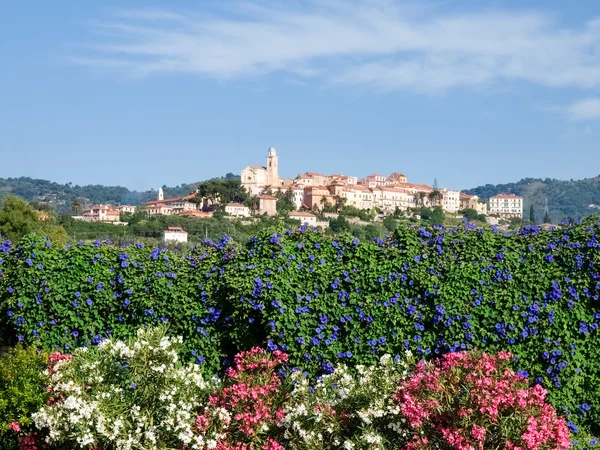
(18,219)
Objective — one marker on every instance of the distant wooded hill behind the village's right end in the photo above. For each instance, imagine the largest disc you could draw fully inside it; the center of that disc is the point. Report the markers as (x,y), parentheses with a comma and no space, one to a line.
(566,199)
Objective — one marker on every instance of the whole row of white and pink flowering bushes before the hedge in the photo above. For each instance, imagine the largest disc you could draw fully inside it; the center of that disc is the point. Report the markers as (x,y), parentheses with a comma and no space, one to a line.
(137,395)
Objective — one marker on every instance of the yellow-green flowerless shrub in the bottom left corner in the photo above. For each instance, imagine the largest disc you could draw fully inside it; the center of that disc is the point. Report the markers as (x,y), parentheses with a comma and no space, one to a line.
(22,391)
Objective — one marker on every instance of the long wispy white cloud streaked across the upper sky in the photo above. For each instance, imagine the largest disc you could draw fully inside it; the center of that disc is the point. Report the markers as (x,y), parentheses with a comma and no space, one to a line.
(377,43)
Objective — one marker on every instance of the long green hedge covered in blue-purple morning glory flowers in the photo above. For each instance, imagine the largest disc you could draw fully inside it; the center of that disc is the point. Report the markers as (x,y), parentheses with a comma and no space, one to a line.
(333,299)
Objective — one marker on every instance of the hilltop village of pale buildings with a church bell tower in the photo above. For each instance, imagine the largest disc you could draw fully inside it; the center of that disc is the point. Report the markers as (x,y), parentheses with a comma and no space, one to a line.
(312,192)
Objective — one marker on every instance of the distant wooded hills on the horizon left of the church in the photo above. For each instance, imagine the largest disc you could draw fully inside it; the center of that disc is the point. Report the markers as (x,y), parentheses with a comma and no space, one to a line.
(62,196)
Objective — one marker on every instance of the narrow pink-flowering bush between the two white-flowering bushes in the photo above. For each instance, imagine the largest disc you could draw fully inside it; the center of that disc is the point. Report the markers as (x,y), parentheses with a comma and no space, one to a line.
(246,411)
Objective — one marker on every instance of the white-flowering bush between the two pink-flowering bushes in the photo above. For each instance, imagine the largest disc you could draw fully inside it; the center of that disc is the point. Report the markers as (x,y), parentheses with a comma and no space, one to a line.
(348,411)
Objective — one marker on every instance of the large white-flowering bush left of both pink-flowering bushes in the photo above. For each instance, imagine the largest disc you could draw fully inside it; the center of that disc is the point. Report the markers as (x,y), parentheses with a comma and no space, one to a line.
(125,396)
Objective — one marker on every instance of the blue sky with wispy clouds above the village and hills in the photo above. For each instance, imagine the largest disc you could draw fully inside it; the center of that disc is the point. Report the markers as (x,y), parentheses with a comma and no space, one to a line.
(142,93)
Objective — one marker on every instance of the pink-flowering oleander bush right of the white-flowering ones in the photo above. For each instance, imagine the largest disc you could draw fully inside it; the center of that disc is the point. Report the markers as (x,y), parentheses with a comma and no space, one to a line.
(468,401)
